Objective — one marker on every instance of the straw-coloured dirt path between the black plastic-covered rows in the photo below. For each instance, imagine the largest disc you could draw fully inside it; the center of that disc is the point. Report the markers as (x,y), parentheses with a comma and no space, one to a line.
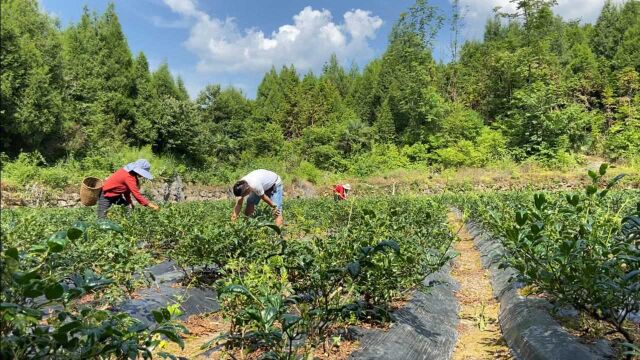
(479,335)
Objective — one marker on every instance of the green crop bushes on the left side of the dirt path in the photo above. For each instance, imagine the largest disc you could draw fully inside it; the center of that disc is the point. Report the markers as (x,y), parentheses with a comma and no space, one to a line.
(283,293)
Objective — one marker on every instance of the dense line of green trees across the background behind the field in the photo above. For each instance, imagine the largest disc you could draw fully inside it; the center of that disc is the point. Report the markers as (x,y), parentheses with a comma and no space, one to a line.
(534,86)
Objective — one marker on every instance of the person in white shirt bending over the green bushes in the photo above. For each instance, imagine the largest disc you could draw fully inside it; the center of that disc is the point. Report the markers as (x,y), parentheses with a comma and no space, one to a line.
(259,185)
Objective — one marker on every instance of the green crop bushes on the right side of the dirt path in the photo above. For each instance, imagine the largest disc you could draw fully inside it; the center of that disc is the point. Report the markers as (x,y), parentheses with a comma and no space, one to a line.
(579,250)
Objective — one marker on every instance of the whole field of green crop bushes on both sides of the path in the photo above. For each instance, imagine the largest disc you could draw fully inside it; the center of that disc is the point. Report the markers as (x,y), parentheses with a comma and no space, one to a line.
(285,293)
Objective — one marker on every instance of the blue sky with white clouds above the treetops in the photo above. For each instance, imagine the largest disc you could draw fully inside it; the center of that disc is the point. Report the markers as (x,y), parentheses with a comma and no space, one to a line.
(235,42)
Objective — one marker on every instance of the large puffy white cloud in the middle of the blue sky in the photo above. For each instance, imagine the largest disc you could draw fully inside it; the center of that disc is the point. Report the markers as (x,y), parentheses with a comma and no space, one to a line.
(307,43)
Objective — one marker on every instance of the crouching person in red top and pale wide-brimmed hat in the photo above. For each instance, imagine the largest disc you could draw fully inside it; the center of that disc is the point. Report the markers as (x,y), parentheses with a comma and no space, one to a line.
(119,187)
